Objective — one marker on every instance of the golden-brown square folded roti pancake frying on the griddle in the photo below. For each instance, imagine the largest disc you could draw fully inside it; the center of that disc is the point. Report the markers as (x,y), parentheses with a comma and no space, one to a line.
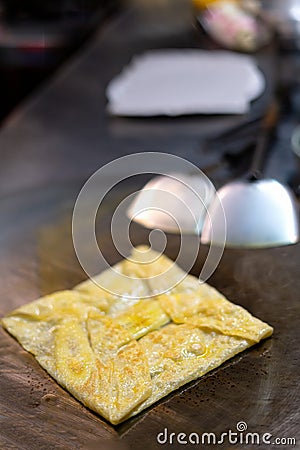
(120,354)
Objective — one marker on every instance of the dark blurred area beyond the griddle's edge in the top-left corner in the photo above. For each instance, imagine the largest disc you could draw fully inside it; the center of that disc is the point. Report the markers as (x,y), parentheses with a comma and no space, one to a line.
(37,36)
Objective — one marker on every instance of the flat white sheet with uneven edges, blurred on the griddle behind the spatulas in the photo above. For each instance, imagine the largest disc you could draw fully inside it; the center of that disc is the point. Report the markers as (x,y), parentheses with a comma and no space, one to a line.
(188,81)
